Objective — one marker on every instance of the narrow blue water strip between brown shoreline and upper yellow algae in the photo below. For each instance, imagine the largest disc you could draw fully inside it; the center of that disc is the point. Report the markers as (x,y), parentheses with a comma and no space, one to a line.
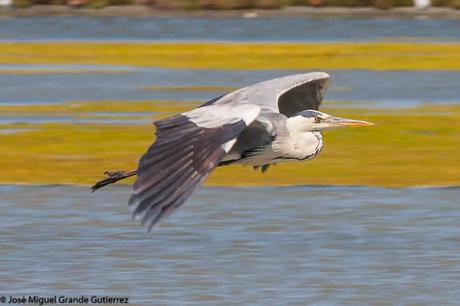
(240,29)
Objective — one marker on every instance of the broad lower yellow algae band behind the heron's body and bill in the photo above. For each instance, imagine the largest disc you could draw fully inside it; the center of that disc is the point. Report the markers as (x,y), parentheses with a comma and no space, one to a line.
(406,147)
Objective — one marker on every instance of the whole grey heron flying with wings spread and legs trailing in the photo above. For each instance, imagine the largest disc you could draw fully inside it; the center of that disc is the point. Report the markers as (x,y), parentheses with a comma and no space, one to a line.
(266,123)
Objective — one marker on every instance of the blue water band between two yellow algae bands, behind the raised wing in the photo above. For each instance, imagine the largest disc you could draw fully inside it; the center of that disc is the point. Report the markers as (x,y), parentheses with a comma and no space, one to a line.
(360,87)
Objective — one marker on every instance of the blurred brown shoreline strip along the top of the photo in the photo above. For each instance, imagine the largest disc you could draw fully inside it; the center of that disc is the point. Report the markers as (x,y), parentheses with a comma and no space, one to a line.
(296,12)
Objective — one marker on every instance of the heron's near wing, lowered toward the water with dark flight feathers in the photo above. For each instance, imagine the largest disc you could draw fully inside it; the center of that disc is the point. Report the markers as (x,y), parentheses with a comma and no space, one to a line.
(188,147)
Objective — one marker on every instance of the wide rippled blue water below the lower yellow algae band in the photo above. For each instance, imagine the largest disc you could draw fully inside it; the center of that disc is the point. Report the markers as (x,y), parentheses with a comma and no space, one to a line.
(258,246)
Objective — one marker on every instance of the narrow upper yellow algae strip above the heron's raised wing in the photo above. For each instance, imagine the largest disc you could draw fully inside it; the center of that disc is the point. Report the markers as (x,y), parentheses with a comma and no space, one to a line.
(208,55)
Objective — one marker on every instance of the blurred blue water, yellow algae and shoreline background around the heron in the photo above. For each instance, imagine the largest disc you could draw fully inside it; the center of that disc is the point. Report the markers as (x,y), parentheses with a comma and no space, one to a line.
(372,220)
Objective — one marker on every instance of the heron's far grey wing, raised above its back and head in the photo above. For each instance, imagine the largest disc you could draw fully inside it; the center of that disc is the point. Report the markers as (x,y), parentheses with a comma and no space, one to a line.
(286,95)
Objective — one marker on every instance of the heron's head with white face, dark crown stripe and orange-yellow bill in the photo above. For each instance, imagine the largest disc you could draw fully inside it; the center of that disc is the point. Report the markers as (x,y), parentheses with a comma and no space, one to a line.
(313,120)
